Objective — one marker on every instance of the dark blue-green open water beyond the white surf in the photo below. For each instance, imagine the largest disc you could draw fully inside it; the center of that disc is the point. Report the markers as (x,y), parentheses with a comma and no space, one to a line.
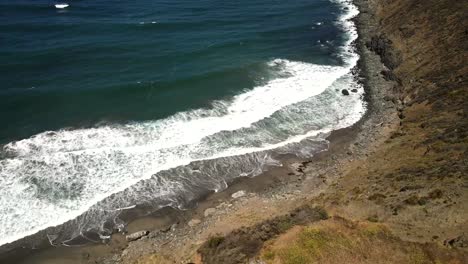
(116,61)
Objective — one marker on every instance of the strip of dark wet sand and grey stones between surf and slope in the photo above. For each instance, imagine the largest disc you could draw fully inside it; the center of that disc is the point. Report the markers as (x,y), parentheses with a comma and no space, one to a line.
(297,178)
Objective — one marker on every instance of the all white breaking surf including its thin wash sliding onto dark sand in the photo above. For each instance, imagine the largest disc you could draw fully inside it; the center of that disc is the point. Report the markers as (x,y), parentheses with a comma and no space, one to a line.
(92,174)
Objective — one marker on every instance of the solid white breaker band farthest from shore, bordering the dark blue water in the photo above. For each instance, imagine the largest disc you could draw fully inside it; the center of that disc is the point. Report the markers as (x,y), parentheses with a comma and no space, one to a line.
(304,80)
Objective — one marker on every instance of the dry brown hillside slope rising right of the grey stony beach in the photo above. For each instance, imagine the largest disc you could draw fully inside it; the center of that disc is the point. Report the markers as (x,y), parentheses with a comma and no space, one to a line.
(417,180)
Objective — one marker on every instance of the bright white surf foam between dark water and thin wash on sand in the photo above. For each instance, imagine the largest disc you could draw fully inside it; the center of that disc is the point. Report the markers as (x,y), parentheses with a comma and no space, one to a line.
(55,176)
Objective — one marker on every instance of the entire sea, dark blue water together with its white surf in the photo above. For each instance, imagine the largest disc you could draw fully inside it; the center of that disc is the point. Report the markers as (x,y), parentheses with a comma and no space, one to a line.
(110,106)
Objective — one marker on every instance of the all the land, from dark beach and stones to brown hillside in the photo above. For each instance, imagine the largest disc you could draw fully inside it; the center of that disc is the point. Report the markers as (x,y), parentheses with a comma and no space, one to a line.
(396,181)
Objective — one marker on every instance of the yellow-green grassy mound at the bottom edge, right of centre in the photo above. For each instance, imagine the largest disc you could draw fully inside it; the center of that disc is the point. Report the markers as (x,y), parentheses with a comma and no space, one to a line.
(341,241)
